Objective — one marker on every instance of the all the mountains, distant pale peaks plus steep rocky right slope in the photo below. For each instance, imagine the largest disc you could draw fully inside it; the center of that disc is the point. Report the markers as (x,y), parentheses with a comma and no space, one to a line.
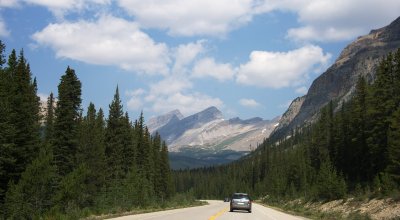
(206,138)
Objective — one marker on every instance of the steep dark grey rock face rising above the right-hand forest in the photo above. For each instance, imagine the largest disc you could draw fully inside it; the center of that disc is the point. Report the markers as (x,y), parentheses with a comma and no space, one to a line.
(337,83)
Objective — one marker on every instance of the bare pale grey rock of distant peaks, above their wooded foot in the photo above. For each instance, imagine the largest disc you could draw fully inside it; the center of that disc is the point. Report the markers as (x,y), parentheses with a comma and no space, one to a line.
(208,130)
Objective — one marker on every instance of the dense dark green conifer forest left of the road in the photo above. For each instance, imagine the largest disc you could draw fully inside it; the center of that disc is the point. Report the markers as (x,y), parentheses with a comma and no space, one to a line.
(69,161)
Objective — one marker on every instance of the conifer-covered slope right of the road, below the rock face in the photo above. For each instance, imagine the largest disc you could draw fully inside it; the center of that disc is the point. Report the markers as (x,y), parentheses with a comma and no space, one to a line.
(354,148)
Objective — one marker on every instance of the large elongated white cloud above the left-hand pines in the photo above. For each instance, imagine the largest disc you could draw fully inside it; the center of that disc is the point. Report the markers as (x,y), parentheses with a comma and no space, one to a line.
(107,41)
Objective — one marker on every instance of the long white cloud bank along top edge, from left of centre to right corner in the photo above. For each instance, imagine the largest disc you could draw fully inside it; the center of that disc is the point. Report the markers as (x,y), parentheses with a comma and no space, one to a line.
(321,20)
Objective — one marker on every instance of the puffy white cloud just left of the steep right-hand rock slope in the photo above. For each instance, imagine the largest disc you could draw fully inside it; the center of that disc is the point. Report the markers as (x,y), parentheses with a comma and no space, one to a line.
(281,69)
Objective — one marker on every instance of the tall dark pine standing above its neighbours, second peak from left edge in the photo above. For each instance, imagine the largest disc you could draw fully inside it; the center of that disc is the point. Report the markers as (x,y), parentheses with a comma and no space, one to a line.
(66,122)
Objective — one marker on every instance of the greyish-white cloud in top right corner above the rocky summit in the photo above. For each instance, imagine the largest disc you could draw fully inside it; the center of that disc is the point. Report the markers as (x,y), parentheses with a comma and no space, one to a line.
(327,20)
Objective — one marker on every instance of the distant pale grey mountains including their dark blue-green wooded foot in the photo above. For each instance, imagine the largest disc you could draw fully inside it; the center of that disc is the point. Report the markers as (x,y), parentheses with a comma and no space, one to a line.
(206,136)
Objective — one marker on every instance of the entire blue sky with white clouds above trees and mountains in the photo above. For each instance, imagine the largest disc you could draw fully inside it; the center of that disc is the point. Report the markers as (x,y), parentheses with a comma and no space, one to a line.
(249,58)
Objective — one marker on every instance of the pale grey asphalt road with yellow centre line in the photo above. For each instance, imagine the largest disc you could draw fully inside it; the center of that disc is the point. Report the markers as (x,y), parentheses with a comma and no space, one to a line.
(216,210)
